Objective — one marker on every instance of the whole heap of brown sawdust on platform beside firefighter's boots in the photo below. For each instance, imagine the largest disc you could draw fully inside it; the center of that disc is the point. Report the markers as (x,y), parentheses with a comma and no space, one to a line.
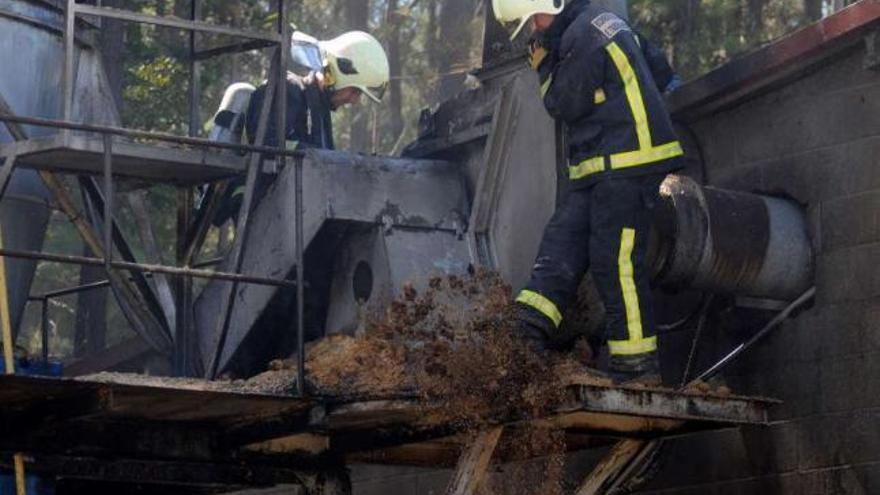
(452,344)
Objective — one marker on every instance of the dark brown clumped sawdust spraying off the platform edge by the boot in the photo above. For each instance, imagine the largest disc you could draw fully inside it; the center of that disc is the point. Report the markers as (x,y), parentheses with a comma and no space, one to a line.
(464,358)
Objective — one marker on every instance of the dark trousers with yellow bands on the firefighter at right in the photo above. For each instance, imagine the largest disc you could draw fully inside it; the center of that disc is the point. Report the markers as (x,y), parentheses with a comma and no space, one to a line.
(603,228)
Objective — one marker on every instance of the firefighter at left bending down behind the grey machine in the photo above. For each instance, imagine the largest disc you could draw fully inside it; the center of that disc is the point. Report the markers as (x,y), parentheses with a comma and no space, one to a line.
(354,64)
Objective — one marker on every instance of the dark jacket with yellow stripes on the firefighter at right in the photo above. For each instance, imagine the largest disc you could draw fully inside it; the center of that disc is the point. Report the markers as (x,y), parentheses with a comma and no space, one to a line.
(605,83)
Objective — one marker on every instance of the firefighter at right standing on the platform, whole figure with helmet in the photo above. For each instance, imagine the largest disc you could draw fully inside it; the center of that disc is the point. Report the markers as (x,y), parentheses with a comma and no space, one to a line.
(604,82)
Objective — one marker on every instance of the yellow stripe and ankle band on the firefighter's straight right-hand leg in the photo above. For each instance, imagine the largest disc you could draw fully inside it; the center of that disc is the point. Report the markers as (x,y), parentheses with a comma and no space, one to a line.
(635,343)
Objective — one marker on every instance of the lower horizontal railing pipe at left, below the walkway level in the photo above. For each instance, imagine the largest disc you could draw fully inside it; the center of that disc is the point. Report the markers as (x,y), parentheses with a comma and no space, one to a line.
(148,268)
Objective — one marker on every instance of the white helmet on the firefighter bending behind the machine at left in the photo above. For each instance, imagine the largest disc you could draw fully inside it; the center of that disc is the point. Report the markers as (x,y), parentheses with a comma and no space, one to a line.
(357,59)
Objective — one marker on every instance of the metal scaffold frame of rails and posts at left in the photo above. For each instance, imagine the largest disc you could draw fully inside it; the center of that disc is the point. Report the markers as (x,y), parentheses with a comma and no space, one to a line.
(188,245)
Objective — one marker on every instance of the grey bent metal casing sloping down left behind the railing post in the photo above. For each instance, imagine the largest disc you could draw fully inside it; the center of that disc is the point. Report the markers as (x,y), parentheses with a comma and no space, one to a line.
(394,193)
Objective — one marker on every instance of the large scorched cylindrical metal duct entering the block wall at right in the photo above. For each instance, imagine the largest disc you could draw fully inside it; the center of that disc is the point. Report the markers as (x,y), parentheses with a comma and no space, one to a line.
(730,242)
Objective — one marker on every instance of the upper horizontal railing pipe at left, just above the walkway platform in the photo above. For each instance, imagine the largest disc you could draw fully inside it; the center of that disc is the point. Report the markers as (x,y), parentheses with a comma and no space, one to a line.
(156,136)
